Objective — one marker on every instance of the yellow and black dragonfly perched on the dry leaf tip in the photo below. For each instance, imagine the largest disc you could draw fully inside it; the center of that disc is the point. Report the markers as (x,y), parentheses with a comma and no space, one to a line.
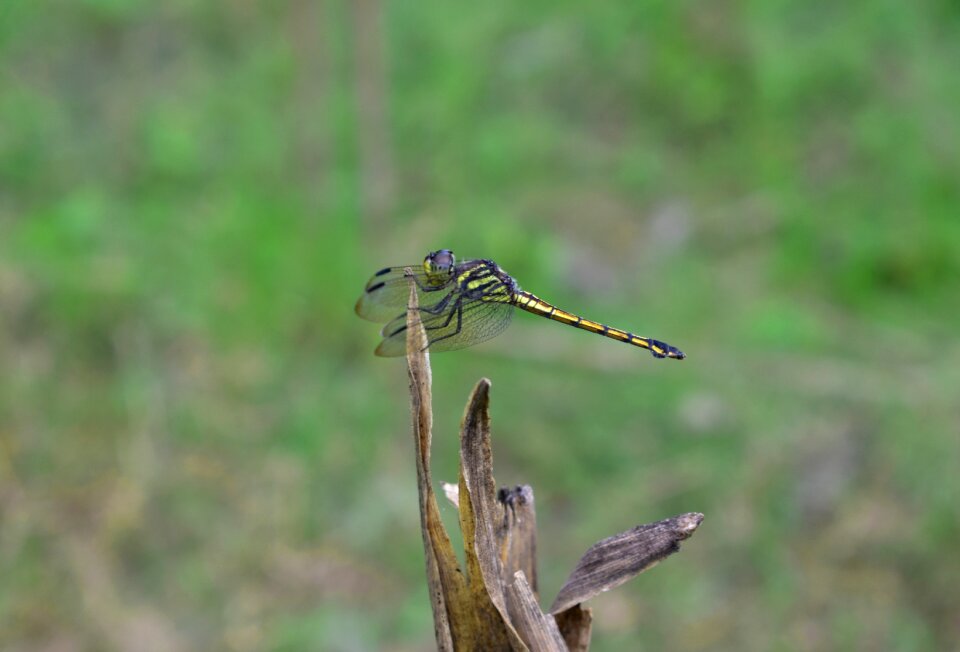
(467,302)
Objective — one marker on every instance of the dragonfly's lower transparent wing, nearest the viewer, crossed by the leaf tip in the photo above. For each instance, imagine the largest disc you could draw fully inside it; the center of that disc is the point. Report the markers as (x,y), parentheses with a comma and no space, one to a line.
(476,322)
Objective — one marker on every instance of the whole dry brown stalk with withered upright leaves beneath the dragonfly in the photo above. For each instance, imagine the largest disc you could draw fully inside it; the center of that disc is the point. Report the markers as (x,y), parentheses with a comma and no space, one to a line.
(492,604)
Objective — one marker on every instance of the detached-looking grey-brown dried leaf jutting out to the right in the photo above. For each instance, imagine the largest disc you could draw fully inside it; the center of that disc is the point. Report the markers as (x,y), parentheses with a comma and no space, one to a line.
(613,561)
